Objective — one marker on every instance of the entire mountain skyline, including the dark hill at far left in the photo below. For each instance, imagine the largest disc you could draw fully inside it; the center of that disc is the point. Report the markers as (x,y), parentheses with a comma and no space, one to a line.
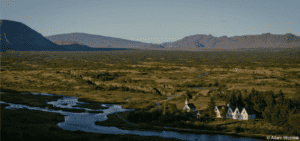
(18,36)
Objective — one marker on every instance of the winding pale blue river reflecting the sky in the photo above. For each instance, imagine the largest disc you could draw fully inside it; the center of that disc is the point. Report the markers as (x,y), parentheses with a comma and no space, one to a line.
(86,121)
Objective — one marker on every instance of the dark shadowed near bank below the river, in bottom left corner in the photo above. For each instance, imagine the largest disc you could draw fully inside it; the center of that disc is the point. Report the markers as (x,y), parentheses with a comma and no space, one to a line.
(25,124)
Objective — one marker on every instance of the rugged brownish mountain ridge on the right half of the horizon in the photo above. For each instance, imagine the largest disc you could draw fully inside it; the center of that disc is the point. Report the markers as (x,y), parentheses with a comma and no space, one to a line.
(251,41)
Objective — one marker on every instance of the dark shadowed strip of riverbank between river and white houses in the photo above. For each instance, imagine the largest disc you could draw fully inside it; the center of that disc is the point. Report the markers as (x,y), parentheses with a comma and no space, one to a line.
(116,120)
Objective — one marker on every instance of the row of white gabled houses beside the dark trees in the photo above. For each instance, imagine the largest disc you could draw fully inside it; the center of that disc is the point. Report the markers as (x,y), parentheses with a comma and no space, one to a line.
(240,113)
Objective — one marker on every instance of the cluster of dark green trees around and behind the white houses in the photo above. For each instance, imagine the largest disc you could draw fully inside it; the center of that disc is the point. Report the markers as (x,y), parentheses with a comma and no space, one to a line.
(271,107)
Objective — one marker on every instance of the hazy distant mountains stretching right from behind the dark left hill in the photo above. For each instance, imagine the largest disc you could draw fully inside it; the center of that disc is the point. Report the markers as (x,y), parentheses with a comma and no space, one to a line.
(194,41)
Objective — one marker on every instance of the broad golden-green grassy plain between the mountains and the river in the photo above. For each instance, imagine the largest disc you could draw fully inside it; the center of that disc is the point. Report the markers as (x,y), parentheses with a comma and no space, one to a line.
(112,77)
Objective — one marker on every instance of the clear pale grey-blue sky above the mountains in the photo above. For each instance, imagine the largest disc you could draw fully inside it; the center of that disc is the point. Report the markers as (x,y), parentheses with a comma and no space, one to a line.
(156,21)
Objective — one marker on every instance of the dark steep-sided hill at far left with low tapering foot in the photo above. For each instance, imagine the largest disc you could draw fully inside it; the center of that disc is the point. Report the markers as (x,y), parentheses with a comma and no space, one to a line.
(18,36)
